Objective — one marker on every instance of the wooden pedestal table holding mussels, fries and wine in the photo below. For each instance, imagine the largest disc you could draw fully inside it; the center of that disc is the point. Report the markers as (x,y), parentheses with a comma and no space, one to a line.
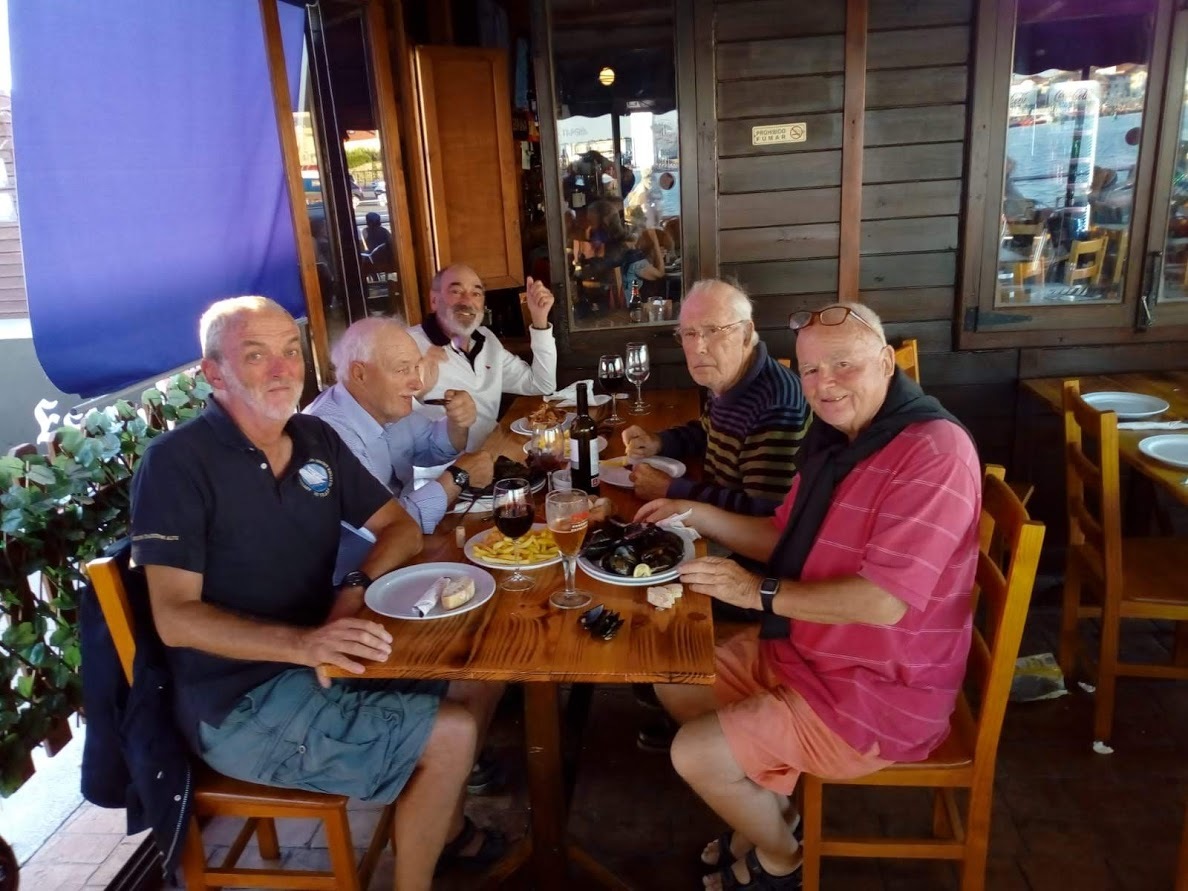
(520,639)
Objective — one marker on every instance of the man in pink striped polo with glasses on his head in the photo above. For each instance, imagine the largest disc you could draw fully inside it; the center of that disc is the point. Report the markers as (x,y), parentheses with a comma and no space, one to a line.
(870,564)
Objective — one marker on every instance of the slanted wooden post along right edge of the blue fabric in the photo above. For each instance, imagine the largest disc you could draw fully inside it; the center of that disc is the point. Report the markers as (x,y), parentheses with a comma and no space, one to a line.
(307,260)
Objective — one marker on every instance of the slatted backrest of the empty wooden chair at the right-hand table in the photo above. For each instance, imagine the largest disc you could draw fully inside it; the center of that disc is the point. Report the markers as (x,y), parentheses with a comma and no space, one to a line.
(1092,485)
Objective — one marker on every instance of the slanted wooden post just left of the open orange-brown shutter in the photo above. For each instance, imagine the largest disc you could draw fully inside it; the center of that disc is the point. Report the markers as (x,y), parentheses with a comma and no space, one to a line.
(388,111)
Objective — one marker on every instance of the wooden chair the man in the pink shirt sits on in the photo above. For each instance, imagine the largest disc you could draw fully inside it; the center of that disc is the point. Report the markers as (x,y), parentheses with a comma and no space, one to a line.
(966,759)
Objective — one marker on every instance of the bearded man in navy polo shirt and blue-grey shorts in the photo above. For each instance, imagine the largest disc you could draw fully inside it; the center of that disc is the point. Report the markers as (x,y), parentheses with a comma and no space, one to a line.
(236,519)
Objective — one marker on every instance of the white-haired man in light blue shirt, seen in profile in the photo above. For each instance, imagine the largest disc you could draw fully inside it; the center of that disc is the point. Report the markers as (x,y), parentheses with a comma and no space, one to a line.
(380,370)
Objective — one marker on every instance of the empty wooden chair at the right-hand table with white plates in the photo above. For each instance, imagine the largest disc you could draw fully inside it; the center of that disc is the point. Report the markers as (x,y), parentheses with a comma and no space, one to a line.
(1123,578)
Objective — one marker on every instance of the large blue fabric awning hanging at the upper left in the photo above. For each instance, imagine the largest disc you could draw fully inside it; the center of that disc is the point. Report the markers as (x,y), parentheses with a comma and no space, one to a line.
(150,180)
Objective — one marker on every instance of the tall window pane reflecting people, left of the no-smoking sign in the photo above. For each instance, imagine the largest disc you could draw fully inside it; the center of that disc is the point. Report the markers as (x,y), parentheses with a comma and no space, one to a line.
(620,162)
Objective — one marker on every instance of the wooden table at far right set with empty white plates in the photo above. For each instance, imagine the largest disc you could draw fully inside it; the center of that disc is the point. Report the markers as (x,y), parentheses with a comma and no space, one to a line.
(1171,387)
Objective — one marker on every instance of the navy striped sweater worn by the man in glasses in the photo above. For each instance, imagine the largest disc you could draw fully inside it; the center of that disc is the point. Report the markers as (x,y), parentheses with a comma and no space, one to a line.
(750,438)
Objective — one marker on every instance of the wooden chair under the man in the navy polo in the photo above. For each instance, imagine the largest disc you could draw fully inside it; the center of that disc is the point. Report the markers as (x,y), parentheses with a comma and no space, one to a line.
(260,806)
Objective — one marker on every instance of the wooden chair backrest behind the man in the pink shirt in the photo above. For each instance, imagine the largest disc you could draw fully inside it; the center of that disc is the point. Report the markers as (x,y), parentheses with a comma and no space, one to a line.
(1009,539)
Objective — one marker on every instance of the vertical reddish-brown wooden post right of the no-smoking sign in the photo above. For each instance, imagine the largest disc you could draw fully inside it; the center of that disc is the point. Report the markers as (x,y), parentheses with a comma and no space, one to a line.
(852,141)
